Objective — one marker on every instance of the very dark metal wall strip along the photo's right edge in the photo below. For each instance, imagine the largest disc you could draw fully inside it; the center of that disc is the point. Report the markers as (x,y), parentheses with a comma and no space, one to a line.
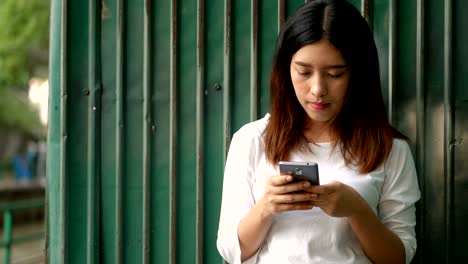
(459,143)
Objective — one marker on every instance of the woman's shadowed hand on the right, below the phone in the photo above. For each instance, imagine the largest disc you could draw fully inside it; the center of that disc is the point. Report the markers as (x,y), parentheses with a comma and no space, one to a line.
(338,199)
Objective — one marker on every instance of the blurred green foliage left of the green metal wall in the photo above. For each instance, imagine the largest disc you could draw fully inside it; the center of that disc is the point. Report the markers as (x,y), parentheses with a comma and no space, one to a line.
(24,42)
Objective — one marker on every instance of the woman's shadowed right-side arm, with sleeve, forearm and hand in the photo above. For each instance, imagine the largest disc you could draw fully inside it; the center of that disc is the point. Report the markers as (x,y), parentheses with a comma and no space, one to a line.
(388,237)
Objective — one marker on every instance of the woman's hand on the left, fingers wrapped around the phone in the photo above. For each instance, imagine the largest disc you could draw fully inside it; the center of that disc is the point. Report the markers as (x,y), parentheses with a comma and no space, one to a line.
(281,195)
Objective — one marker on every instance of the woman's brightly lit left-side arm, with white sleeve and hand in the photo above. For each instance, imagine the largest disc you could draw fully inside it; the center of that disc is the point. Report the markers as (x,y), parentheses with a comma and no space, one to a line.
(244,222)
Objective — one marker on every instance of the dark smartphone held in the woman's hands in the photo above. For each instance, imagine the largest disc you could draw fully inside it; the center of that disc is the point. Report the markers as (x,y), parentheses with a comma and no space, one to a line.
(301,171)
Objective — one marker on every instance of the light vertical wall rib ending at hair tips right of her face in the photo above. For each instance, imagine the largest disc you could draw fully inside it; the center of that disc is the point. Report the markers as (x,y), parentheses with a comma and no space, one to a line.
(391,57)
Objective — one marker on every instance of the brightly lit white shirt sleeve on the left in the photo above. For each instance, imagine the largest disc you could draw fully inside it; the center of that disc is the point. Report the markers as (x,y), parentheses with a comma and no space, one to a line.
(237,198)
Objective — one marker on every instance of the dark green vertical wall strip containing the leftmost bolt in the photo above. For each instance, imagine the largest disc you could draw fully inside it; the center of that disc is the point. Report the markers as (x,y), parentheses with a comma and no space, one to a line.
(76,155)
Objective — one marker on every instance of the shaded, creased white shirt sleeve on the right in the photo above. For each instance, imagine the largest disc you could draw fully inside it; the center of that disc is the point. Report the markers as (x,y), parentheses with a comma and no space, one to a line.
(400,192)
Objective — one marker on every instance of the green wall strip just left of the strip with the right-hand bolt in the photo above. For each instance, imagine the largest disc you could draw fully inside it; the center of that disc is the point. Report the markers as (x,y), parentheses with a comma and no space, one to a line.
(186,132)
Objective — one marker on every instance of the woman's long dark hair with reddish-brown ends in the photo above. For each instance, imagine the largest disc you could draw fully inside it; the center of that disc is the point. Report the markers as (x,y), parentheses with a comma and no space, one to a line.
(362,129)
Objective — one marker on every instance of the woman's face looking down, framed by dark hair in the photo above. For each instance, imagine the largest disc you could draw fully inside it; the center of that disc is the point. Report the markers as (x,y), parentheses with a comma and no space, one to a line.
(320,78)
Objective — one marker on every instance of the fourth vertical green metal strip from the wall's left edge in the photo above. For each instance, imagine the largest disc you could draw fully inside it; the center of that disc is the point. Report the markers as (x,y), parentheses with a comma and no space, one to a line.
(132,180)
